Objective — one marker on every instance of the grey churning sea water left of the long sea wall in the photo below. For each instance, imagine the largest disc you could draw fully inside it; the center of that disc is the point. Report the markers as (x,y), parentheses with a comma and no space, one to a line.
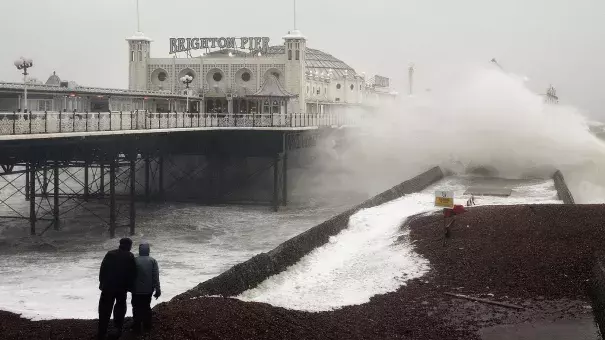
(191,244)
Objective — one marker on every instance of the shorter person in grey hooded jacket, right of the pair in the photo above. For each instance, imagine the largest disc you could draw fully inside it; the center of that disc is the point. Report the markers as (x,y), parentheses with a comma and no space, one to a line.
(147,281)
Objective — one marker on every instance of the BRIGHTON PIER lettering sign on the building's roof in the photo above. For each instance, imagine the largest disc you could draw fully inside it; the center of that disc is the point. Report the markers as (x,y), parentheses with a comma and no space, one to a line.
(260,44)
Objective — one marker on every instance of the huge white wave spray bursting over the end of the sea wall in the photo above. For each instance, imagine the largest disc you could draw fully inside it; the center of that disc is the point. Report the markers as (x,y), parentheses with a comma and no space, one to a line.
(483,119)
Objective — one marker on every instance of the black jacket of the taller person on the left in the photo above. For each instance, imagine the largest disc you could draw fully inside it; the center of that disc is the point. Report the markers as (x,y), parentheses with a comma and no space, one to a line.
(118,270)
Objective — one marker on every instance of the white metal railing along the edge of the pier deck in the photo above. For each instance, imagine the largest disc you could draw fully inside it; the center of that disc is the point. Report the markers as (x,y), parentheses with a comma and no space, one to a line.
(15,123)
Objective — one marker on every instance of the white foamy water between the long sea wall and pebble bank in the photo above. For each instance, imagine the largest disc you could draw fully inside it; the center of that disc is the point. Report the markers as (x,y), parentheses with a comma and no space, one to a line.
(366,259)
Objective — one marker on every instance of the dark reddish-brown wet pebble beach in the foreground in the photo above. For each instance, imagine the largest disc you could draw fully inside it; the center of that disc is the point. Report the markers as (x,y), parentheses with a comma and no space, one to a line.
(538,257)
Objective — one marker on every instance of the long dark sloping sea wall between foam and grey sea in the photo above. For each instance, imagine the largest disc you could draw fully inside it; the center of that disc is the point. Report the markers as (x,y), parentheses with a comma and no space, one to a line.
(249,274)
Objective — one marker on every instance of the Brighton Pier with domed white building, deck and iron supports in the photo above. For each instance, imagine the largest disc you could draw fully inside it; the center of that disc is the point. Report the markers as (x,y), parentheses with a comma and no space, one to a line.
(218,129)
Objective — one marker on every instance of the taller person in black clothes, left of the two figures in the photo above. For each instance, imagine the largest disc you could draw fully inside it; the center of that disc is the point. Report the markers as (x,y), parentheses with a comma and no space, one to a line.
(116,277)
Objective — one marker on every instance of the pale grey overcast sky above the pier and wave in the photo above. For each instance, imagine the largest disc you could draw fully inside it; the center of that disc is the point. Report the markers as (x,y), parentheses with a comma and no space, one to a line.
(550,41)
